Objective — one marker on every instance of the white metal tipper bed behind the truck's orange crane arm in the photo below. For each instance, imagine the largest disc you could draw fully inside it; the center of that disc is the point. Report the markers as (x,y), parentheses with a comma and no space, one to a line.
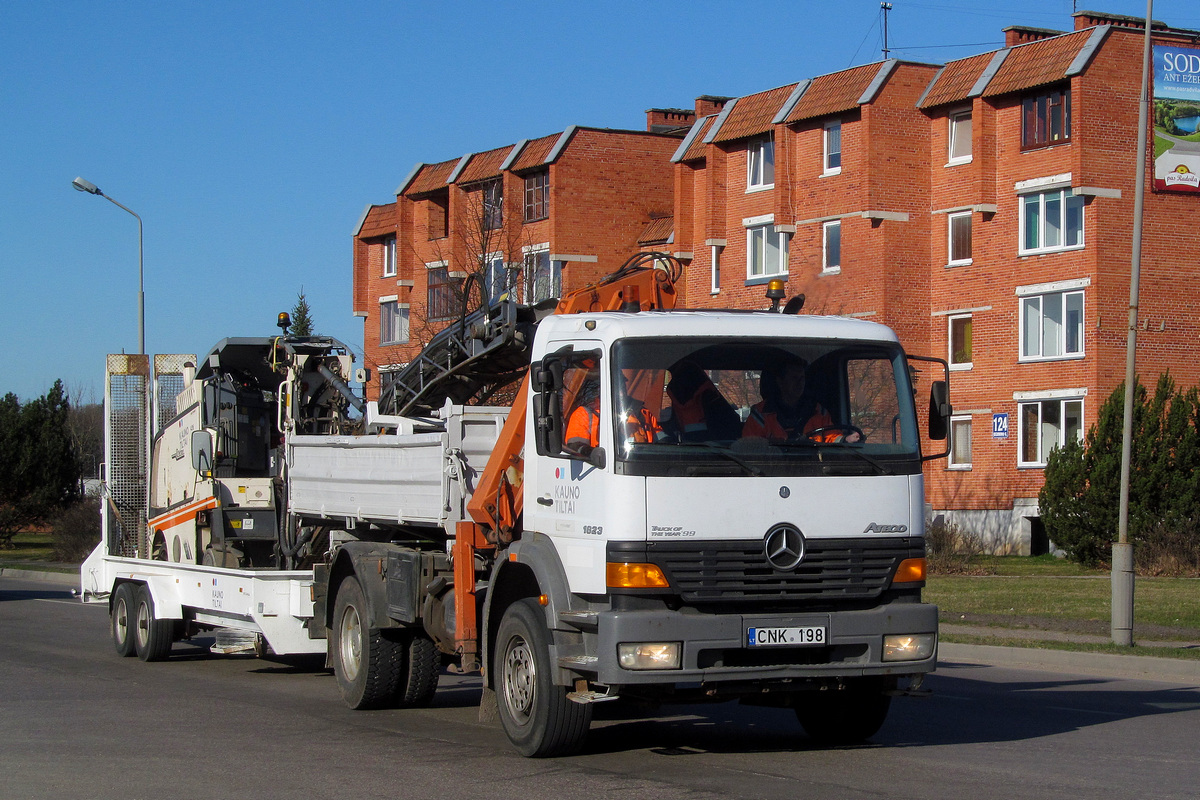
(423,479)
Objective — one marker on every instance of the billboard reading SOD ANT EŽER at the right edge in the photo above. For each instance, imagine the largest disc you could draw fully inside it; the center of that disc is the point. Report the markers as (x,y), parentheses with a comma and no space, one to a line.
(1177,119)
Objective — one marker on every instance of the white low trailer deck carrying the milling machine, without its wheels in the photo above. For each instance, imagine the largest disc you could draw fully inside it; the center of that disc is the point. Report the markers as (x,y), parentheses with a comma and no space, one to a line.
(275,604)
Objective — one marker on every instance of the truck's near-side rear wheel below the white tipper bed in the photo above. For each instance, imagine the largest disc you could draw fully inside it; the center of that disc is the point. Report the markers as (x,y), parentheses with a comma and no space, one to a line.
(369,666)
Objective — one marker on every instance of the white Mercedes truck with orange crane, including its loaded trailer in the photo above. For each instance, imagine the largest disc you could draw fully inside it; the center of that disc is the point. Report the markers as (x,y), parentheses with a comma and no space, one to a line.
(460,525)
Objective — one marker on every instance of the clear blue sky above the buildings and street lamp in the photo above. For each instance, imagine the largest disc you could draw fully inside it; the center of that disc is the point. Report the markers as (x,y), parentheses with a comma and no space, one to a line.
(251,136)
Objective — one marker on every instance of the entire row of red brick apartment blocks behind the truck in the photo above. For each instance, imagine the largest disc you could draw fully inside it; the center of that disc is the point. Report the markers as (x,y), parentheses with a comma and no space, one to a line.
(983,209)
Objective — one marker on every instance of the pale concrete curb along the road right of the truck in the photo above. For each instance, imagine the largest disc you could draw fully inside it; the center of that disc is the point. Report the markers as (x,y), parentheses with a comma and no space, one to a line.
(1105,665)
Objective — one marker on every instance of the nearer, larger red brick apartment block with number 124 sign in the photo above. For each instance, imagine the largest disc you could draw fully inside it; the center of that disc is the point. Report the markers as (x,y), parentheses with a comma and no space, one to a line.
(985,210)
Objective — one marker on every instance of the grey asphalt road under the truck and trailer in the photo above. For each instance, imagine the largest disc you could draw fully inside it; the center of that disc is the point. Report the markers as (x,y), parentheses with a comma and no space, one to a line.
(77,721)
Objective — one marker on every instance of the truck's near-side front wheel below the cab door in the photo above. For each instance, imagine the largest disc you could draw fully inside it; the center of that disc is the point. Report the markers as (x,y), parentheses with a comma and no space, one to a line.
(537,717)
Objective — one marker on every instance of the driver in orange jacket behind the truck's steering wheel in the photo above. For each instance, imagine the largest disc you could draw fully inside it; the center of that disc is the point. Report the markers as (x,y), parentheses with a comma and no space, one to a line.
(787,412)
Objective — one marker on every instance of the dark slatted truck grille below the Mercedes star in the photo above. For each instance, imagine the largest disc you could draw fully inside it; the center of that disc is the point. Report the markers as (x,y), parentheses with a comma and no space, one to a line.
(724,572)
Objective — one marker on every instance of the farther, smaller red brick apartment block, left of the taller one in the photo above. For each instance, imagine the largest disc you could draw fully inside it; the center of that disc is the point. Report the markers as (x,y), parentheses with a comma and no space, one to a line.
(525,220)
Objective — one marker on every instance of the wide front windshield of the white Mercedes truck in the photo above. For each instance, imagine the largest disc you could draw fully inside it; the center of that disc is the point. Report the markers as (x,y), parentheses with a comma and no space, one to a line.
(770,407)
